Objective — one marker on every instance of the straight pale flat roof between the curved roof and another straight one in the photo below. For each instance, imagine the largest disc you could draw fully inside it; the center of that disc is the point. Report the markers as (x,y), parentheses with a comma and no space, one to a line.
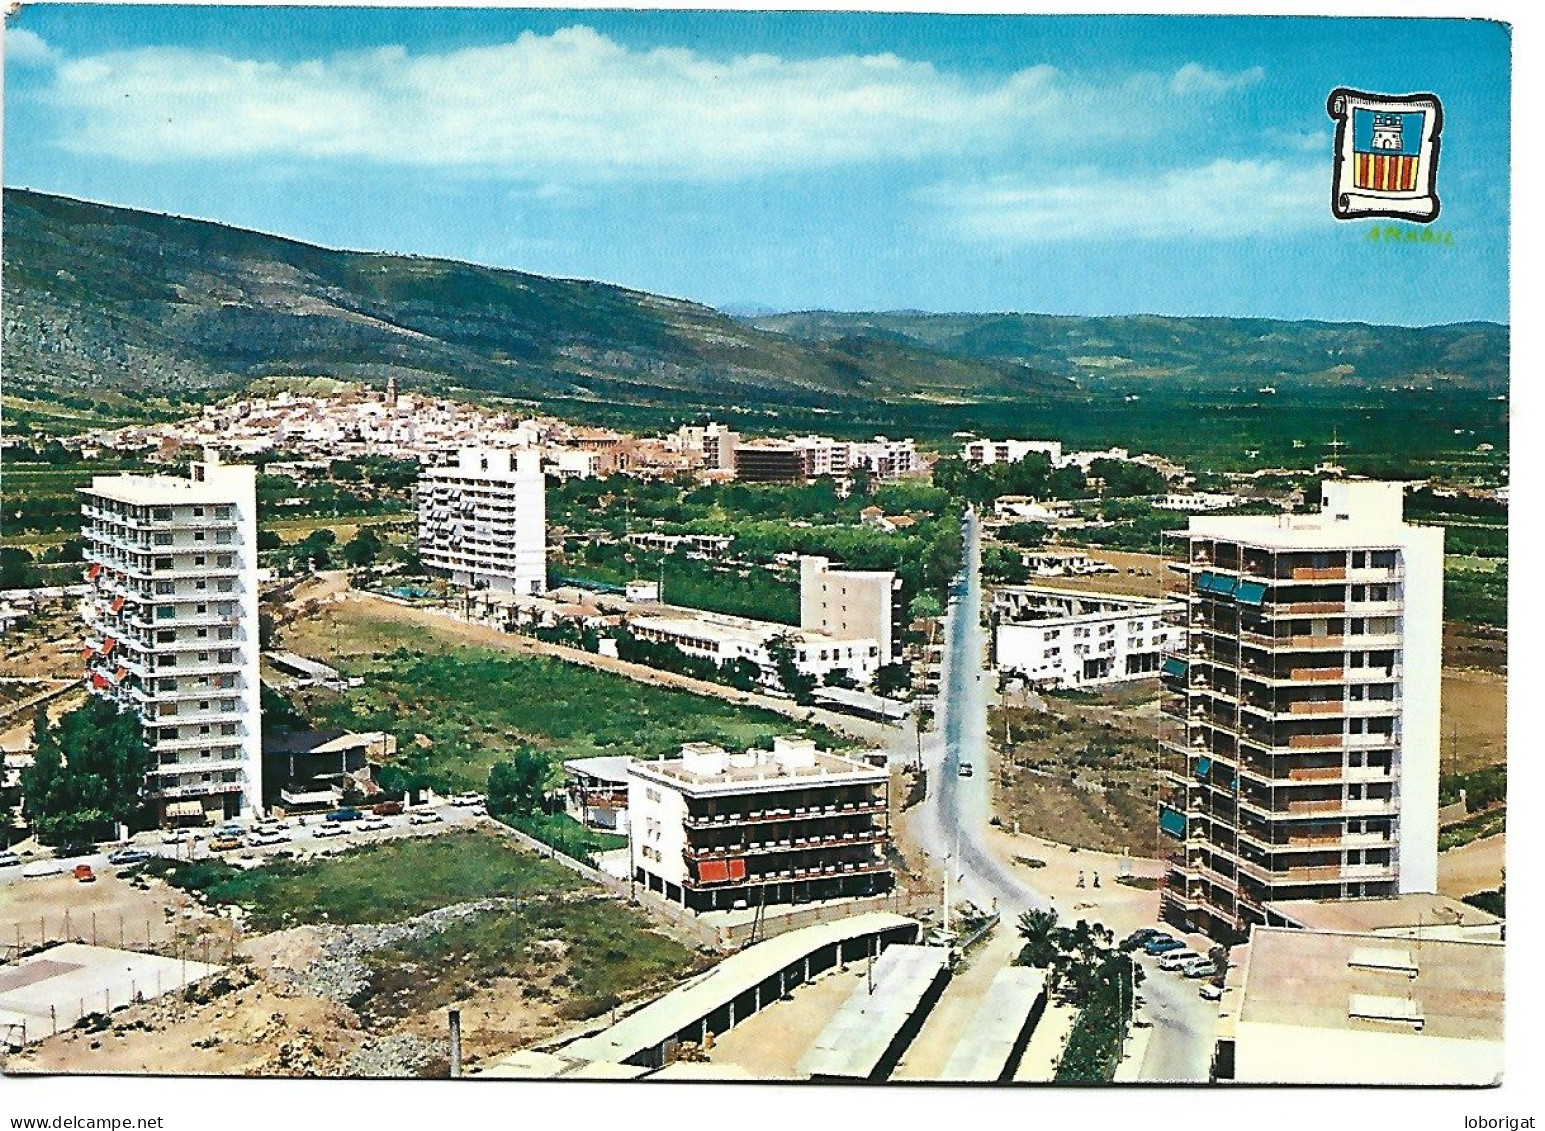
(868,1024)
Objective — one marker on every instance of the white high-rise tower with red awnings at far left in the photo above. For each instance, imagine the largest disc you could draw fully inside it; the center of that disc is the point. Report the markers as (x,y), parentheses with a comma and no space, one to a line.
(172,630)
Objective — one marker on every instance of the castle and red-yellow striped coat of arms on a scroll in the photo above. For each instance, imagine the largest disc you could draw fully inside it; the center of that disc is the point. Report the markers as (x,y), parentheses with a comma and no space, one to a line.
(1387,158)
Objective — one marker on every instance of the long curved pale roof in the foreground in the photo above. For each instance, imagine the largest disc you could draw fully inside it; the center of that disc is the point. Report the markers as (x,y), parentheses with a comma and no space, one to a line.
(690,1004)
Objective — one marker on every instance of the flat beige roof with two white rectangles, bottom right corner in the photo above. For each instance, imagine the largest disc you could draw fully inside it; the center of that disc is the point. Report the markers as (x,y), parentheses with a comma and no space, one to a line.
(1350,982)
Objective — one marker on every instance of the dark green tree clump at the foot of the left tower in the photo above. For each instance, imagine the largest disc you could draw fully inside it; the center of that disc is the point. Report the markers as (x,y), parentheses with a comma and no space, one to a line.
(87,775)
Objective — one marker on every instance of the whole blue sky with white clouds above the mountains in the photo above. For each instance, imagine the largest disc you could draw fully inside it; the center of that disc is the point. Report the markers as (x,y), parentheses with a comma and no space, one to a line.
(789,161)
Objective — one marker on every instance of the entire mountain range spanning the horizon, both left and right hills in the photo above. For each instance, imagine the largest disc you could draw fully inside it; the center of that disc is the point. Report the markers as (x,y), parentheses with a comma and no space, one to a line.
(121,302)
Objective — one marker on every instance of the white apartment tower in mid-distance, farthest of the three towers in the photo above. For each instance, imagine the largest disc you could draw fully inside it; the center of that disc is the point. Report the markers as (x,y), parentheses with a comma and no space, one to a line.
(483,520)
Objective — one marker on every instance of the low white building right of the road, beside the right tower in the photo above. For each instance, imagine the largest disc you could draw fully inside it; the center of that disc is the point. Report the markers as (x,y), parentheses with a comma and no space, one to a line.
(1073,639)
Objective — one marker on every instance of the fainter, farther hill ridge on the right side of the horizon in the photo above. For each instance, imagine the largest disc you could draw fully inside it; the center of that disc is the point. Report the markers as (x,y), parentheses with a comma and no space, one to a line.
(1206,350)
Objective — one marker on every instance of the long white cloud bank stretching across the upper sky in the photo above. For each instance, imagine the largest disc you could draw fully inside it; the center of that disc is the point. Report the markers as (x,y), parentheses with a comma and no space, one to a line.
(579,106)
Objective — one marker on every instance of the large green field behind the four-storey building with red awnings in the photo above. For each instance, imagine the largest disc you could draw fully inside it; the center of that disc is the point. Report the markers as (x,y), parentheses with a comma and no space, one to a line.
(460,708)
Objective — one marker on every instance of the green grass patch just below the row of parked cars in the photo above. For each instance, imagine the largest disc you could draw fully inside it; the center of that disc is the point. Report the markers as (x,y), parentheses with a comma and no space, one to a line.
(381,883)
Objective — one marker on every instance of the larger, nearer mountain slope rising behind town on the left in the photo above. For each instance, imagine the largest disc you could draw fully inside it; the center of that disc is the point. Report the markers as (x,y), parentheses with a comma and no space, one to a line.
(110,301)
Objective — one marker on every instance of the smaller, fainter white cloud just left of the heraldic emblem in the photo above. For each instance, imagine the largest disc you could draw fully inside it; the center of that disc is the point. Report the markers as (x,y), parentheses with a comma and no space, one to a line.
(1217,202)
